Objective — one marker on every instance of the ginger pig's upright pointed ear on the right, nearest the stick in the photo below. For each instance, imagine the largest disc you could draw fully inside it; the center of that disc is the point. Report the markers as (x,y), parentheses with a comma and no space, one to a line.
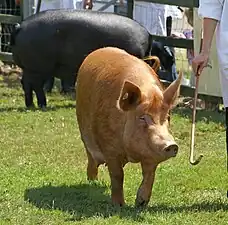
(171,93)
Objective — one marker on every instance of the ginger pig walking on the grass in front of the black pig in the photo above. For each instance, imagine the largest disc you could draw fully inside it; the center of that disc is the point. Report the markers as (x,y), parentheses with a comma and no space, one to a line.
(124,118)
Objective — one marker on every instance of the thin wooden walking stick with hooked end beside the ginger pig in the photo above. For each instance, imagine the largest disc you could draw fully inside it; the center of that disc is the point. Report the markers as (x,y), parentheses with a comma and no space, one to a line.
(191,158)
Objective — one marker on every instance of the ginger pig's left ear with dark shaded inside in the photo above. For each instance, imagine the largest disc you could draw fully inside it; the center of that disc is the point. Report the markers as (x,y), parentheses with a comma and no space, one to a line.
(130,96)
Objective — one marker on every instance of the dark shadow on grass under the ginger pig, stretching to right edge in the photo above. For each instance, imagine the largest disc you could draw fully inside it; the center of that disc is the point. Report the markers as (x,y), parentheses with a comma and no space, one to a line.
(89,200)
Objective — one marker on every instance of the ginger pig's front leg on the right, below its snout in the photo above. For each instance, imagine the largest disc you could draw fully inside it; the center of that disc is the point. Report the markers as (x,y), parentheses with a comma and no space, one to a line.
(145,189)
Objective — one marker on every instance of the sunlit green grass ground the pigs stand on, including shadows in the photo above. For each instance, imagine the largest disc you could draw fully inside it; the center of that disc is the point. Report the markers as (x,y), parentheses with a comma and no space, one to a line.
(43,171)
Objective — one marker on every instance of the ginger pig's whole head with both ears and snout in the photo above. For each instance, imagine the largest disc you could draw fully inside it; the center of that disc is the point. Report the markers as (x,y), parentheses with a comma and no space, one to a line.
(146,131)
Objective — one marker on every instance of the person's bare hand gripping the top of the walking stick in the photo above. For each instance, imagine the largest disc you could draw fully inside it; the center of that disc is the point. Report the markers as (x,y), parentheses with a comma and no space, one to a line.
(199,62)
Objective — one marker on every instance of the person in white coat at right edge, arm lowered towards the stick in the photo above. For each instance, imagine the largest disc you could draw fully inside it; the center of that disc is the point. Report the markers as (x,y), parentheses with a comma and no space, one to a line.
(215,14)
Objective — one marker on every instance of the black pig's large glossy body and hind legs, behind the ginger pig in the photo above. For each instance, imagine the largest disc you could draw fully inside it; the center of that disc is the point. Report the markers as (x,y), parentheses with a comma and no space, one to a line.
(55,42)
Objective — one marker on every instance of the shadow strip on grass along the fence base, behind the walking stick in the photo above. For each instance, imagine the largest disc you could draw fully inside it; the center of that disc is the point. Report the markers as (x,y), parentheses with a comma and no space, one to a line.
(201,115)
